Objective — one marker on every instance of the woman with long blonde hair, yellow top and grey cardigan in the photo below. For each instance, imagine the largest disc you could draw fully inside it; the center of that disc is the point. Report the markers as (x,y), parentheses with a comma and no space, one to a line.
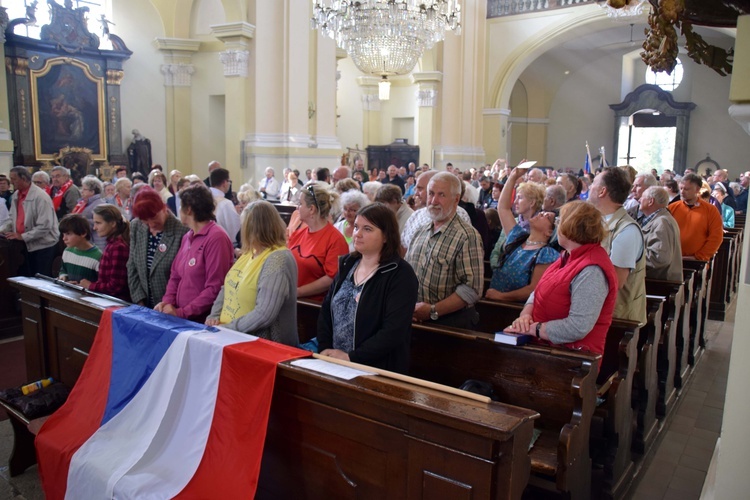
(259,295)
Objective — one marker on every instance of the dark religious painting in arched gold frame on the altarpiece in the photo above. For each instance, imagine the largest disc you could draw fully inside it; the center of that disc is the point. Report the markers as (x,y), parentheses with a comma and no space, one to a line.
(67,103)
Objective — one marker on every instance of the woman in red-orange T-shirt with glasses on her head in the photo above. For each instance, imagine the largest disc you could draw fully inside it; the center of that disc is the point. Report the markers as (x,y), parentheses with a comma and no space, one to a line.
(318,246)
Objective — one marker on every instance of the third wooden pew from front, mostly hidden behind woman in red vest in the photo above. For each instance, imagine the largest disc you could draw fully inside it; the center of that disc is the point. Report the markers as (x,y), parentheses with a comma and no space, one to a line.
(613,420)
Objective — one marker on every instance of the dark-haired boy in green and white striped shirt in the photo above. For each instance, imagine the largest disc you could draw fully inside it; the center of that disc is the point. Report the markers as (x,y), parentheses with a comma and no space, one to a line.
(81,258)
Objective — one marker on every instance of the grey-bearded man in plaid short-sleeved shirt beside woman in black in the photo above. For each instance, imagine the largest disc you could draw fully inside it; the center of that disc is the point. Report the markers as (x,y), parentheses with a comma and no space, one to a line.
(447,256)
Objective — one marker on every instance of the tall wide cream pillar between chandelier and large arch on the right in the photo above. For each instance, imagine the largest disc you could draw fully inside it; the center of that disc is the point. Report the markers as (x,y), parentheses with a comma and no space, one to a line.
(461,100)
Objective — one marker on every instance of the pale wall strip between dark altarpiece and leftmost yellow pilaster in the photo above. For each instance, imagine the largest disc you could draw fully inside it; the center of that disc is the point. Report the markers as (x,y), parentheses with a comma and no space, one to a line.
(142,90)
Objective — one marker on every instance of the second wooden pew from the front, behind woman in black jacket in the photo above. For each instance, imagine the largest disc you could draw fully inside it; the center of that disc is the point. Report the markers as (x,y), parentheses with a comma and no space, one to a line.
(557,383)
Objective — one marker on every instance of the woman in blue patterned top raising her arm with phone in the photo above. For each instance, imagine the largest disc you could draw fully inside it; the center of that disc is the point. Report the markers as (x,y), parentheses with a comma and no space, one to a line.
(519,261)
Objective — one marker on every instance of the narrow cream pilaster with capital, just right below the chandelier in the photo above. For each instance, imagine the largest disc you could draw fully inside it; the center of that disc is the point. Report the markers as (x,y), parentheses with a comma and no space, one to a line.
(425,122)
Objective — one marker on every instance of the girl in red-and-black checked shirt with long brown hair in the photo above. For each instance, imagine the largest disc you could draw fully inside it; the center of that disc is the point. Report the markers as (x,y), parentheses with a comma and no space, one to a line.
(113,273)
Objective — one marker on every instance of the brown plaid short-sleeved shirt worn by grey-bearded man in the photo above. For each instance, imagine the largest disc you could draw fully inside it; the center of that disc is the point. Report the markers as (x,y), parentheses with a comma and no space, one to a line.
(448,261)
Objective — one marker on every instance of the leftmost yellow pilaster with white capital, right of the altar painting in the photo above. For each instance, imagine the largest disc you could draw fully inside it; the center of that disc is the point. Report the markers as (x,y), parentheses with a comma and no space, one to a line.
(178,70)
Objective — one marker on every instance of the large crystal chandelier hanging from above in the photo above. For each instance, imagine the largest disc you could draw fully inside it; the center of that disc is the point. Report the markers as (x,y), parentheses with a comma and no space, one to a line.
(386,37)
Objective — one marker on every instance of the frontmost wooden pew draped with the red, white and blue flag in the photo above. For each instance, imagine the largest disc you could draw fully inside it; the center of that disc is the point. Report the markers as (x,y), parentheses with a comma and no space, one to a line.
(370,437)
